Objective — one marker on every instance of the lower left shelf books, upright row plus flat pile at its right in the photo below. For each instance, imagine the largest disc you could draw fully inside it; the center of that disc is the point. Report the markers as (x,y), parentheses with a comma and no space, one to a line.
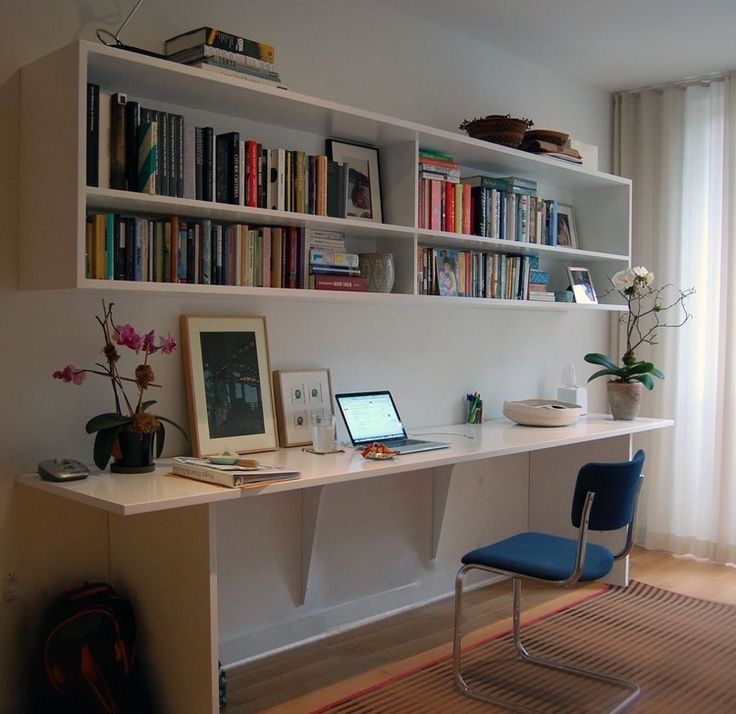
(178,250)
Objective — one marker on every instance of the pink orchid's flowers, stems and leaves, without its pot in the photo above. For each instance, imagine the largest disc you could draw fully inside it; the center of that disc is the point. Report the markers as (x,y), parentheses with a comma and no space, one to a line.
(130,413)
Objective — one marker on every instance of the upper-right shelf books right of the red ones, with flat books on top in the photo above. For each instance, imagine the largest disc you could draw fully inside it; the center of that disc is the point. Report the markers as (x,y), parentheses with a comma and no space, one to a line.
(508,208)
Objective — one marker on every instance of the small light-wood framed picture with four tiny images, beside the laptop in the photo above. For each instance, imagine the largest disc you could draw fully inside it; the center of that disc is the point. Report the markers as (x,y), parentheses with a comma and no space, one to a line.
(299,397)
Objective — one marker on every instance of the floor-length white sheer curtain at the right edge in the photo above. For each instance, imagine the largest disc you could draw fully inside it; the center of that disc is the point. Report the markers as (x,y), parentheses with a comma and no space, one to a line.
(677,144)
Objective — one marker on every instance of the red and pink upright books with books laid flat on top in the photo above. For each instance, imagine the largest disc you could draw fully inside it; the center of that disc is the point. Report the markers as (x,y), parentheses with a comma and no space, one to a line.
(444,202)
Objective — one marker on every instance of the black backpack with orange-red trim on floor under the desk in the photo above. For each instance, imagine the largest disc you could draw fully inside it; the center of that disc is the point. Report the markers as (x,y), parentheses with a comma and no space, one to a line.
(85,662)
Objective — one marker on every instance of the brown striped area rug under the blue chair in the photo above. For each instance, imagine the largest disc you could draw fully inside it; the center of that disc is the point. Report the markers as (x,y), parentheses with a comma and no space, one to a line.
(681,651)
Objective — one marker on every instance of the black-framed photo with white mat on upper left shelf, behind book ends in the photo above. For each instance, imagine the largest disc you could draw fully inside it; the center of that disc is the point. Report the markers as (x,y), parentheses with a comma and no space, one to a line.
(364,182)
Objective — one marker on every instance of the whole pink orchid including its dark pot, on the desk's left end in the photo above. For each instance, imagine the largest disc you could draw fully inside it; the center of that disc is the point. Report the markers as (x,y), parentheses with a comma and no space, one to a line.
(130,431)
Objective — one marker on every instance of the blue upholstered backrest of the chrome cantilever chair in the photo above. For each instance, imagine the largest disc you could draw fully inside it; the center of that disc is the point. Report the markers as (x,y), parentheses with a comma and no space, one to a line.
(615,486)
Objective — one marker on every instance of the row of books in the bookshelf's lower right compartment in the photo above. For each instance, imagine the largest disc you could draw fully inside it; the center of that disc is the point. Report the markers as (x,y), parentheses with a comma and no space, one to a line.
(461,273)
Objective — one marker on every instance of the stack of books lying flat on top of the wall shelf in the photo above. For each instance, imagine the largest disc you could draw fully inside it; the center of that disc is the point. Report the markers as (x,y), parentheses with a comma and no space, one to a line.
(218,51)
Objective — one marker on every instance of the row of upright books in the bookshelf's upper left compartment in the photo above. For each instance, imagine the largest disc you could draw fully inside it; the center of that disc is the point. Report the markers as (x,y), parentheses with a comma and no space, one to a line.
(134,148)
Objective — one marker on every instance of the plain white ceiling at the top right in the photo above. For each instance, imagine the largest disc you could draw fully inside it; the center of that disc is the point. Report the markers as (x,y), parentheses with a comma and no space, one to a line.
(613,44)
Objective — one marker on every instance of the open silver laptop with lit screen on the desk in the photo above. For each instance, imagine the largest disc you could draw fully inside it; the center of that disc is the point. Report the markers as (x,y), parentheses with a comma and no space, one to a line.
(372,416)
